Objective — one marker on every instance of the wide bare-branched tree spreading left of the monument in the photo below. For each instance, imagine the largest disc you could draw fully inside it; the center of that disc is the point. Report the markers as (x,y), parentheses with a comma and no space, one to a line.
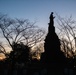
(18,30)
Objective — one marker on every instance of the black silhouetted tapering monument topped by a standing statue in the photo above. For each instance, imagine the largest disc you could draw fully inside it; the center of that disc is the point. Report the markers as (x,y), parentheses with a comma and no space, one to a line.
(52,53)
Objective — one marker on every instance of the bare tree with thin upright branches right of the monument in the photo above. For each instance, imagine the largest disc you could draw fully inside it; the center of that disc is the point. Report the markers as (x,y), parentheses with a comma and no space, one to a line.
(67,34)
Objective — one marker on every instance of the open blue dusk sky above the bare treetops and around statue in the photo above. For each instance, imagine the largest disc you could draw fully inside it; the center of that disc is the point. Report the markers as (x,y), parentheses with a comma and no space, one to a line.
(38,10)
